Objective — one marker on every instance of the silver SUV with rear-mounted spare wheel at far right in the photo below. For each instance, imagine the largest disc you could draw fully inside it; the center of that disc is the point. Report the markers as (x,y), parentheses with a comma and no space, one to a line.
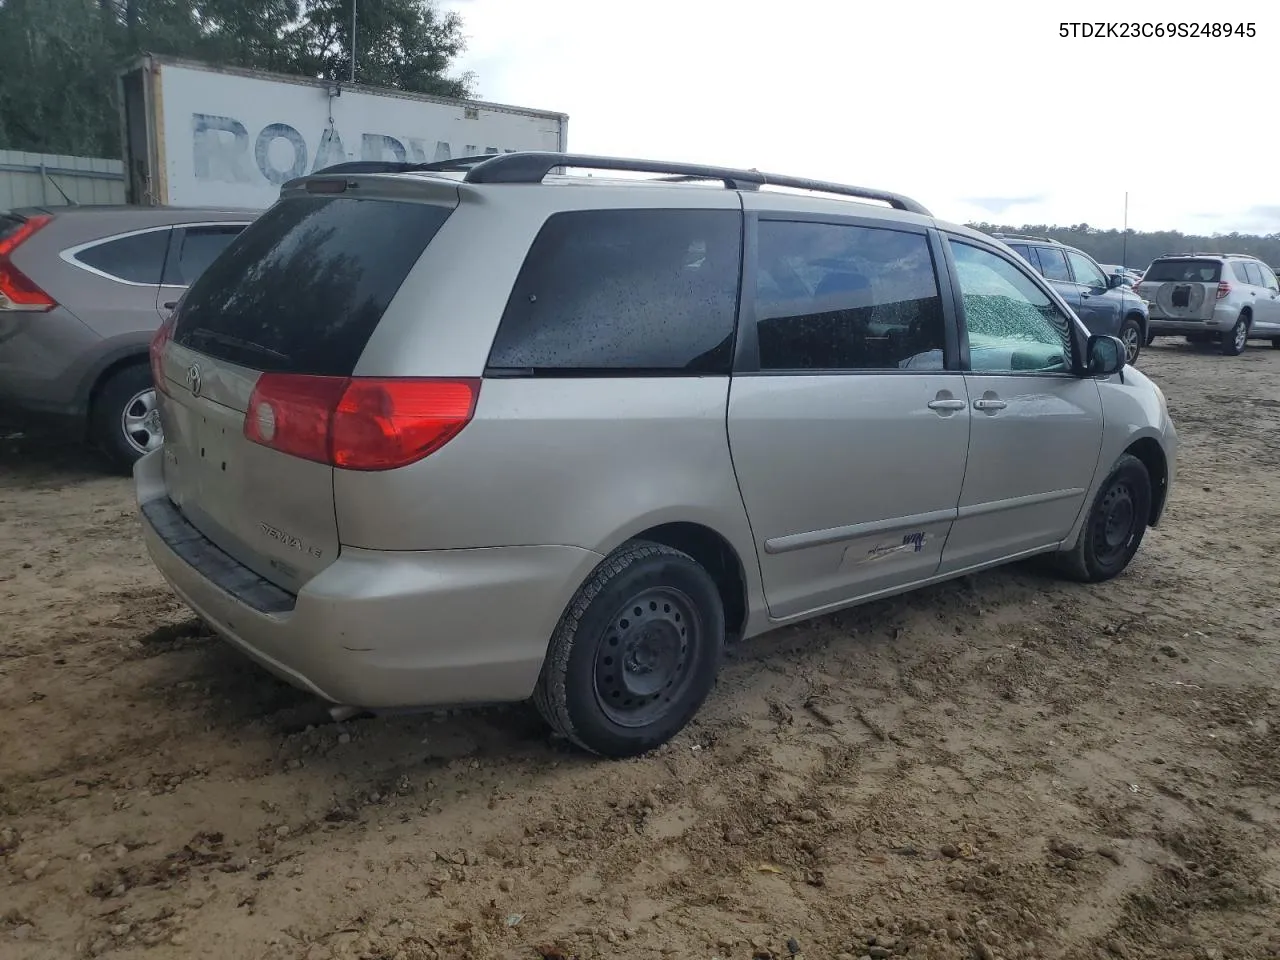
(1214,298)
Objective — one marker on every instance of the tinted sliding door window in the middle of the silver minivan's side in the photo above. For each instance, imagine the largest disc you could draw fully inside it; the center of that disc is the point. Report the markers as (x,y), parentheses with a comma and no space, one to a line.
(839,298)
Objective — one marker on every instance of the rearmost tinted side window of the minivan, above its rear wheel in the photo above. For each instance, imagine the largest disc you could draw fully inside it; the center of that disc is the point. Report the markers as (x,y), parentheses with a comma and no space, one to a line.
(625,291)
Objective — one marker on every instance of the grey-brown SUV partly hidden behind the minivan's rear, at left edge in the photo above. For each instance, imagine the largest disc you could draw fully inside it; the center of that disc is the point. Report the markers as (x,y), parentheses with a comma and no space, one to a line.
(83,291)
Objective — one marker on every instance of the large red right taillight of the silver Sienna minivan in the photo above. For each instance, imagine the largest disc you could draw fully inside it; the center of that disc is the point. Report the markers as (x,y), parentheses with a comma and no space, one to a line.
(359,423)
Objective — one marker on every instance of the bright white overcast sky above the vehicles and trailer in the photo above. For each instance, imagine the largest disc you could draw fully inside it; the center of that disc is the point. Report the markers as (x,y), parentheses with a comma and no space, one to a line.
(977,109)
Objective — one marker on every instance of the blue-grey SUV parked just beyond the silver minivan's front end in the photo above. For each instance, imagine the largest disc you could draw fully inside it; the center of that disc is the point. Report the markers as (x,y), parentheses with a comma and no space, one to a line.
(1099,299)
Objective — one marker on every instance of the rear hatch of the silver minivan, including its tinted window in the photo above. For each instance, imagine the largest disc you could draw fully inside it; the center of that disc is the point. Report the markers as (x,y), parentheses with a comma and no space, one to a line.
(278,322)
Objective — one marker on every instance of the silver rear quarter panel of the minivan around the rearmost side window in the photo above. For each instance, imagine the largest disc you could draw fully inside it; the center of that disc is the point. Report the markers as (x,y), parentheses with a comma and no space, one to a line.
(547,461)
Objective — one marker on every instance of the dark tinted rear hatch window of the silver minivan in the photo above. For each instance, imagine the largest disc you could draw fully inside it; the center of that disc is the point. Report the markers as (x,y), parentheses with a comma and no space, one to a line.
(303,289)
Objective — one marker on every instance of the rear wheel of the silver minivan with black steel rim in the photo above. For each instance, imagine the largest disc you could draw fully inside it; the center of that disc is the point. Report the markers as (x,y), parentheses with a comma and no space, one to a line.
(607,673)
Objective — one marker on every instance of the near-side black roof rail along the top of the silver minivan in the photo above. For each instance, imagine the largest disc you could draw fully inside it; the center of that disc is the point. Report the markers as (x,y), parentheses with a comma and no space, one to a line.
(533,167)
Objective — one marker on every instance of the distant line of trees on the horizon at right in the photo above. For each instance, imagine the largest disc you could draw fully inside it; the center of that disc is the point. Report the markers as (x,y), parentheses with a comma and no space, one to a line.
(1140,249)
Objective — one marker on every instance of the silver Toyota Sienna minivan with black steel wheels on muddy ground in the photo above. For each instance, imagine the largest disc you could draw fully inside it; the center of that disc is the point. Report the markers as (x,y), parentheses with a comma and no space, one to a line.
(454,435)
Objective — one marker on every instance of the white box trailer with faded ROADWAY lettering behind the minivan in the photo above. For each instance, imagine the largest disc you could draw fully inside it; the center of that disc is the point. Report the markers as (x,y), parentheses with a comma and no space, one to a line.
(198,135)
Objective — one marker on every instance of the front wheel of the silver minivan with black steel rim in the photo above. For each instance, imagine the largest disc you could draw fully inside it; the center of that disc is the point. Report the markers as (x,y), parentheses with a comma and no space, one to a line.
(1114,528)
